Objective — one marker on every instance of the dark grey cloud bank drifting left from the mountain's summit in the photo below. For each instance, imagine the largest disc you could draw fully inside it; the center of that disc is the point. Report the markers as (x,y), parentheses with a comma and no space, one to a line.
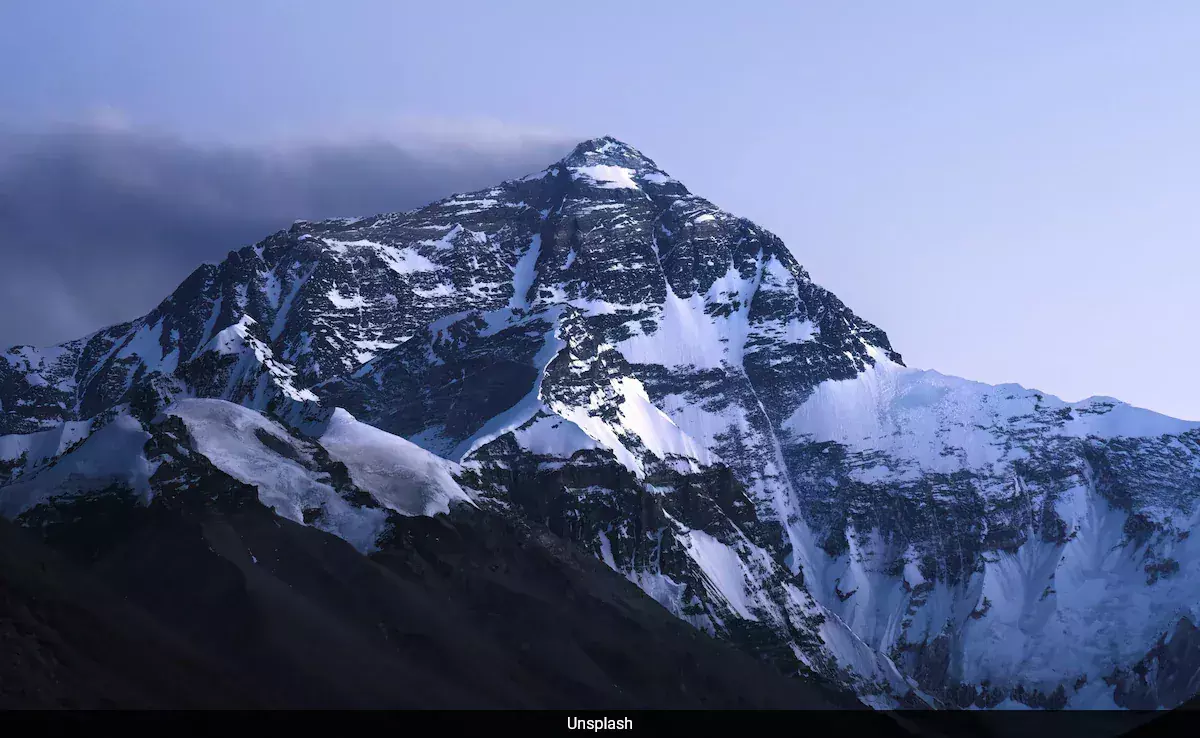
(97,227)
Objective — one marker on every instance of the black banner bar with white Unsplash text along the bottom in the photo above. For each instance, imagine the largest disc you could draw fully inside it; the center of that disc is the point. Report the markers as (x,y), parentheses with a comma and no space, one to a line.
(700,724)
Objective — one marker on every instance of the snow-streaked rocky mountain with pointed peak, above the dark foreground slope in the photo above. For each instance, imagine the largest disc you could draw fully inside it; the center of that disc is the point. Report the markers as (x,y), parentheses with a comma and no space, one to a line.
(596,350)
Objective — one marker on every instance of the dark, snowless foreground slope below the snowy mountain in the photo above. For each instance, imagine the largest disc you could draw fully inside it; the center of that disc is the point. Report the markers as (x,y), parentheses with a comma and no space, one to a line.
(206,602)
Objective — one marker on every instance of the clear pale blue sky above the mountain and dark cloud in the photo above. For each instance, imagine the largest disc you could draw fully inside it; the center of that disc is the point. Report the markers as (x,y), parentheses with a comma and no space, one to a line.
(1010,191)
